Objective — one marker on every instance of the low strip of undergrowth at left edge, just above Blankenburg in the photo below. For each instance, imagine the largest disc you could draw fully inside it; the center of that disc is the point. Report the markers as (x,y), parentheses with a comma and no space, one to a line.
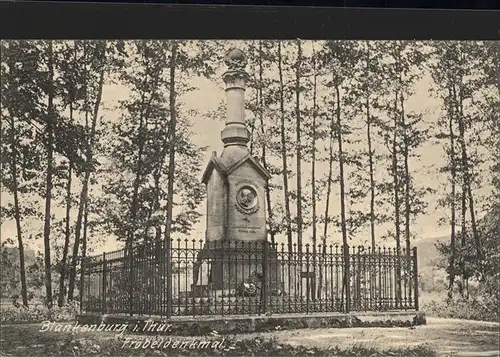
(12,314)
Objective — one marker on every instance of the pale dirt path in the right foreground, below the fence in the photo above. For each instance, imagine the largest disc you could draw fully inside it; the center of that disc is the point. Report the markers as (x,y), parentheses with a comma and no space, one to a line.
(449,337)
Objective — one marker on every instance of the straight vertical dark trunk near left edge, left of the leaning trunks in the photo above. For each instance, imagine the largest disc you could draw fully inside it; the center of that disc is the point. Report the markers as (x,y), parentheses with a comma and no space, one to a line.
(48,190)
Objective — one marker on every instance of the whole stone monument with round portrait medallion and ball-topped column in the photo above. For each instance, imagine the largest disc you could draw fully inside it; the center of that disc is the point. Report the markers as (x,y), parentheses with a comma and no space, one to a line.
(236,184)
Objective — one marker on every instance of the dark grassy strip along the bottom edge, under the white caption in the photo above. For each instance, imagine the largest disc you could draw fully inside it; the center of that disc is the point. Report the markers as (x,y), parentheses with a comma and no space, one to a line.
(27,340)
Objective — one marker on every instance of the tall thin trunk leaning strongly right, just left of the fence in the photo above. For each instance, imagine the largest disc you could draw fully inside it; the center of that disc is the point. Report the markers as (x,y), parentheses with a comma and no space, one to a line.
(85,186)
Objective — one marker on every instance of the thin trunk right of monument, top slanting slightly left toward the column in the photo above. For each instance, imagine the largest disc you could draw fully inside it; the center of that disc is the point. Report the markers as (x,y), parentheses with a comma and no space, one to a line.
(284,153)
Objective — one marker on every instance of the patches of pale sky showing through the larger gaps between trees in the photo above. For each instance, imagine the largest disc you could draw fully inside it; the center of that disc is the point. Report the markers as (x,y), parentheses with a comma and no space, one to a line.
(208,96)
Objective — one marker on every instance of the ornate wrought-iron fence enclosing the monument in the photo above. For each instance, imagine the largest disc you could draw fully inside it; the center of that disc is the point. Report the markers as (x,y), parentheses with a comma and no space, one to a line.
(227,278)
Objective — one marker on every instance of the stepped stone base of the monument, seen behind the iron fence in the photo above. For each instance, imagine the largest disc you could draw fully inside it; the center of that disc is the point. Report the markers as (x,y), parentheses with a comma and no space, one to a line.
(234,263)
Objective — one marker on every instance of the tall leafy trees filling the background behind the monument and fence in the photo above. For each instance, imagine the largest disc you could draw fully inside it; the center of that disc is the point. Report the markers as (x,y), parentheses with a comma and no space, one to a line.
(329,120)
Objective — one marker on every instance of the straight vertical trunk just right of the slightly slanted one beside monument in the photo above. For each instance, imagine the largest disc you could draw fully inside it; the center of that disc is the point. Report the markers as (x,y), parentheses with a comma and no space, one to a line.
(299,153)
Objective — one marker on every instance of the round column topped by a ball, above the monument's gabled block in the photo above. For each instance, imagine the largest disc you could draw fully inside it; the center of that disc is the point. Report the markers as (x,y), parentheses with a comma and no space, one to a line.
(235,132)
